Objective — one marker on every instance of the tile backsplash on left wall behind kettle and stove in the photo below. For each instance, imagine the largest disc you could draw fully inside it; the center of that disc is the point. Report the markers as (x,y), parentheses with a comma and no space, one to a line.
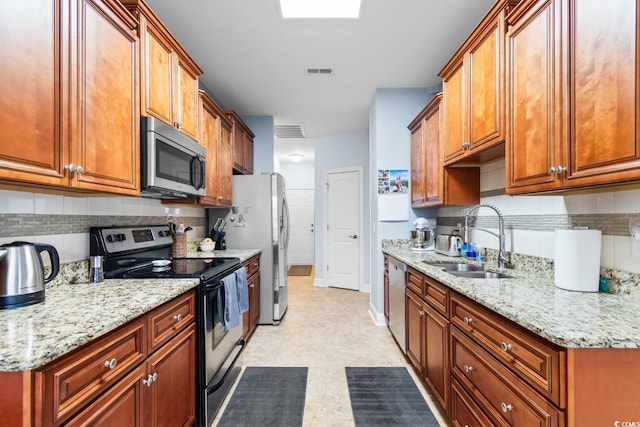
(64,221)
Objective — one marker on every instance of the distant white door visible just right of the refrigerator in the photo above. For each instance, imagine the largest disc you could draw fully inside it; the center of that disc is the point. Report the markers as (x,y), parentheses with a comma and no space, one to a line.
(301,244)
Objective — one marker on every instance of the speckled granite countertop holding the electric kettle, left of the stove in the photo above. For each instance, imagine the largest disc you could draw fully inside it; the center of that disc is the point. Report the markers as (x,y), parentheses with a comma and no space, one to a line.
(73,315)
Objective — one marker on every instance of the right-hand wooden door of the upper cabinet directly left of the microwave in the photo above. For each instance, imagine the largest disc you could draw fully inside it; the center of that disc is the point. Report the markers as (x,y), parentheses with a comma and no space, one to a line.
(105,123)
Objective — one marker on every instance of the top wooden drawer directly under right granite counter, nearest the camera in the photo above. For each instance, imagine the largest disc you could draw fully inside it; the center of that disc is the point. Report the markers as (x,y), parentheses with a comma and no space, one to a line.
(536,361)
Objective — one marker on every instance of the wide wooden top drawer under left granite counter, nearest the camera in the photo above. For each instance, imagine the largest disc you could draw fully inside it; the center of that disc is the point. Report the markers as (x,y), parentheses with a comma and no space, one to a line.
(73,381)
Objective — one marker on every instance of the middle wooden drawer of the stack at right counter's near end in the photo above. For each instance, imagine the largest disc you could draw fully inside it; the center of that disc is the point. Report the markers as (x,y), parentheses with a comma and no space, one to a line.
(505,397)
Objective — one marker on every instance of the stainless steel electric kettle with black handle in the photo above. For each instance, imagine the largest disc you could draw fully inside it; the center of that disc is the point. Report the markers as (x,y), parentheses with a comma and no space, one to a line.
(22,273)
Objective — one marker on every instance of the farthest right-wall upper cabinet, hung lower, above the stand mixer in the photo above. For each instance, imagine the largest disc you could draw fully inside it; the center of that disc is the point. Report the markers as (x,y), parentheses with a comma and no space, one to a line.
(433,184)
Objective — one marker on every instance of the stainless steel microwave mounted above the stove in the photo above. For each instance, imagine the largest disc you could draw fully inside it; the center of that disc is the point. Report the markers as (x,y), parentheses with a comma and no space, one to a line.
(172,164)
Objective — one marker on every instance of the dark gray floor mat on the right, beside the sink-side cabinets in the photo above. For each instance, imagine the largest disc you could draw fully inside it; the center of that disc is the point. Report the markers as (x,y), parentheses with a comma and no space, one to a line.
(387,397)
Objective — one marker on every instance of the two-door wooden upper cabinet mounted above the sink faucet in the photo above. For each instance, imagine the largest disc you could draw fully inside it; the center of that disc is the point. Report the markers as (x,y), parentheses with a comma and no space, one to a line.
(473,86)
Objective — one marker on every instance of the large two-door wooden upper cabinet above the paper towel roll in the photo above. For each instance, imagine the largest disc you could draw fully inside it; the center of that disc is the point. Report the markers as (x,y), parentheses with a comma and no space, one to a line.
(578,129)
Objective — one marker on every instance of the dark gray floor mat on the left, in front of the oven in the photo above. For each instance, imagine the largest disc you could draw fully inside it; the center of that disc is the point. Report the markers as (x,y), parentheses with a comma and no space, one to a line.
(267,396)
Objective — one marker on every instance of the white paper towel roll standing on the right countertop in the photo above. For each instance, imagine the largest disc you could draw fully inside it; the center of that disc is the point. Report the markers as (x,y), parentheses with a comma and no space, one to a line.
(577,259)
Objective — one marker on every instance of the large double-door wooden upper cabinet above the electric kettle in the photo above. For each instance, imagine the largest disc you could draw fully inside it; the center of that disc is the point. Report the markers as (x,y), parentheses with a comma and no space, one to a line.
(70,96)
